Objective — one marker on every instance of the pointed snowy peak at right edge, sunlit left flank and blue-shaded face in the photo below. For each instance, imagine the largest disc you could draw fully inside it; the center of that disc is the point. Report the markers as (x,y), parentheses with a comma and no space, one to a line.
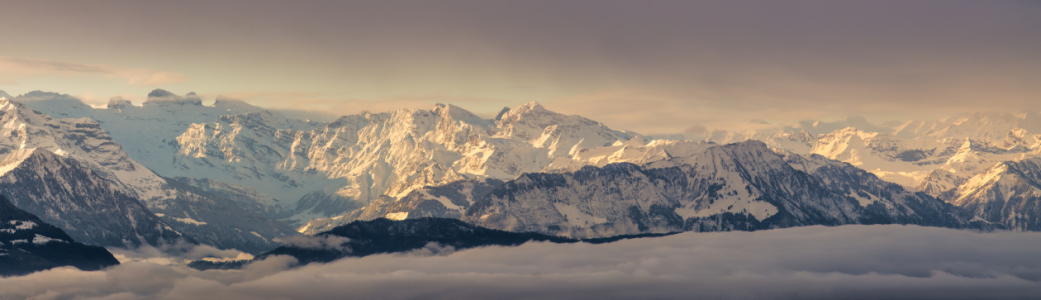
(1009,193)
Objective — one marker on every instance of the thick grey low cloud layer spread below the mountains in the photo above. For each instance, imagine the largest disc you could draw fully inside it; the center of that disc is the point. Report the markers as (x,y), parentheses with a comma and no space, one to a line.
(886,262)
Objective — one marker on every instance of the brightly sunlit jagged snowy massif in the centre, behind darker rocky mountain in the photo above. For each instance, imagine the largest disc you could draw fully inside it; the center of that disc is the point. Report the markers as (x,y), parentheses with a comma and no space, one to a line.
(362,157)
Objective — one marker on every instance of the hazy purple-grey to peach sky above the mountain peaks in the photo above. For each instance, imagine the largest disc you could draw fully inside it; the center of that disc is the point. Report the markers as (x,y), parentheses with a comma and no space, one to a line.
(654,67)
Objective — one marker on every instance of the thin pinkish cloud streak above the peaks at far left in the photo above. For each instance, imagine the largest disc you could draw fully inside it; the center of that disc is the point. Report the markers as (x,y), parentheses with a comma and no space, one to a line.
(14,68)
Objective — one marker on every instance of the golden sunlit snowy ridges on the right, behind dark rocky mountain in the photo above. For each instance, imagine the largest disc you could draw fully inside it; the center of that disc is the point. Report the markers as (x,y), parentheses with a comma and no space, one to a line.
(964,161)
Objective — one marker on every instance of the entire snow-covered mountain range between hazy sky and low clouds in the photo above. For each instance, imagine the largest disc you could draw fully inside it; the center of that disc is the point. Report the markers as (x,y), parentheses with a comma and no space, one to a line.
(234,176)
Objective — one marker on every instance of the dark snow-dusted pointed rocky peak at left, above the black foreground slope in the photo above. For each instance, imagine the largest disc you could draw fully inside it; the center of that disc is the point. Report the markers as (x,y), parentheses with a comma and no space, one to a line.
(90,209)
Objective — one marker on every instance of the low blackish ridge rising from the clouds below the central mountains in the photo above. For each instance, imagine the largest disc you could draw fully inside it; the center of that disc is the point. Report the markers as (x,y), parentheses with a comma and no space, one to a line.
(383,236)
